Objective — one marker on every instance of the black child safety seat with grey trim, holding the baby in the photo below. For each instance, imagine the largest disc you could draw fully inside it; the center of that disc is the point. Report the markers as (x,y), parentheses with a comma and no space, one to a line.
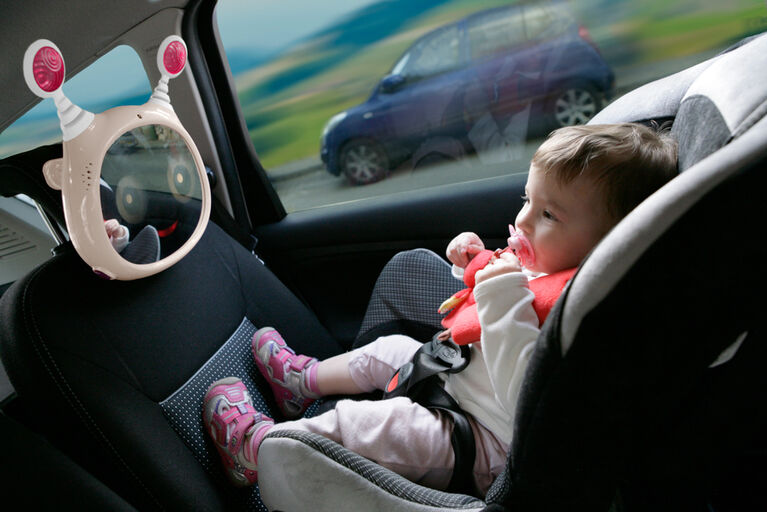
(644,392)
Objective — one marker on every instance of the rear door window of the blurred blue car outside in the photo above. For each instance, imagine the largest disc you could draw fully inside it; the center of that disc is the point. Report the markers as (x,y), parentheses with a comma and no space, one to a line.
(495,31)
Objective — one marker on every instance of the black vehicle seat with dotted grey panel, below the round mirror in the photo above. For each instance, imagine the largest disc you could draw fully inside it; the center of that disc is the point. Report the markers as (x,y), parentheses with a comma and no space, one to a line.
(112,372)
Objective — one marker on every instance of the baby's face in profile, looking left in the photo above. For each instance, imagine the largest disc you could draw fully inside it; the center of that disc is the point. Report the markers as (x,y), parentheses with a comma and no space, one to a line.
(562,222)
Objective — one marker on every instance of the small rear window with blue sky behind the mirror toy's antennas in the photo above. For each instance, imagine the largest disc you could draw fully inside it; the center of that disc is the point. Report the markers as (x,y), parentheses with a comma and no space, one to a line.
(117,78)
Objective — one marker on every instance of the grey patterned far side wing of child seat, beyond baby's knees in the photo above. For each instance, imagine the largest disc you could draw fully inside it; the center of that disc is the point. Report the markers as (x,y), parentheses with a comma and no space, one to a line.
(406,297)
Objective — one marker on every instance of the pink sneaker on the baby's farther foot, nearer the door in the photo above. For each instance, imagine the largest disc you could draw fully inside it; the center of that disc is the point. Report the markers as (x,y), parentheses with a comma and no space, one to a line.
(285,371)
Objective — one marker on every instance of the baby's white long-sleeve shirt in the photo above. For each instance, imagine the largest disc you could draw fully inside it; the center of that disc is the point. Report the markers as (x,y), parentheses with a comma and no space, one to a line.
(488,388)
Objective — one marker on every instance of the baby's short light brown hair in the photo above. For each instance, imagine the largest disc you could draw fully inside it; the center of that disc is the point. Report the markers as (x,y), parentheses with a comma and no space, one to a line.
(628,161)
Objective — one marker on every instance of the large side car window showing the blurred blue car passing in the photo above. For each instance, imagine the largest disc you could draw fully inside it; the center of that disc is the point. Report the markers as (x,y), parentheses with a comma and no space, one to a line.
(332,122)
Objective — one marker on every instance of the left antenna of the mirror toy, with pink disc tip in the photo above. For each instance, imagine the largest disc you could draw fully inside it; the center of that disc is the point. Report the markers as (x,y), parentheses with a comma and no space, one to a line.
(44,72)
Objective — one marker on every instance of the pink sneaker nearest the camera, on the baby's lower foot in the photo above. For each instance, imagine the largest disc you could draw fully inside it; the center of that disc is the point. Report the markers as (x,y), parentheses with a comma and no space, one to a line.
(236,428)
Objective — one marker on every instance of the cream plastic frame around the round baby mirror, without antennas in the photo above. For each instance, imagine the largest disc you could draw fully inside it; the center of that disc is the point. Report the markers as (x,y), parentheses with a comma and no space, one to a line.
(78,175)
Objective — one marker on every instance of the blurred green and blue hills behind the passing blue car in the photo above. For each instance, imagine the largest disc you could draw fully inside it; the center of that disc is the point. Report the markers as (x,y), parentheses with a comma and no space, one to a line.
(287,98)
